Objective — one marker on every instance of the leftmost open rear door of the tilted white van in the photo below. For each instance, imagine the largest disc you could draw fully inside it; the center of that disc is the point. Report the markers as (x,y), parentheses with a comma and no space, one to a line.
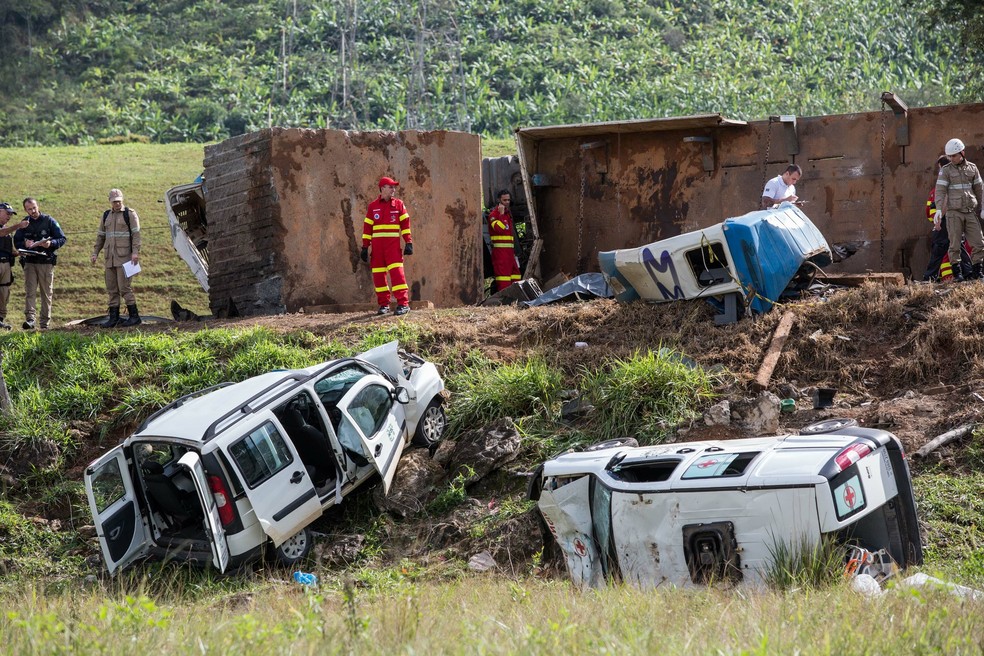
(115,510)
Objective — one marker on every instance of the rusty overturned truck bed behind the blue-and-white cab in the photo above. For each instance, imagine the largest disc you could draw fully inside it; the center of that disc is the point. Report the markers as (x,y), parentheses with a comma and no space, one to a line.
(619,185)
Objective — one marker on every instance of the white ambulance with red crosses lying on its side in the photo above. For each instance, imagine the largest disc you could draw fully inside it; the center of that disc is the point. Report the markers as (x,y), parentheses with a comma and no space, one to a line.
(686,514)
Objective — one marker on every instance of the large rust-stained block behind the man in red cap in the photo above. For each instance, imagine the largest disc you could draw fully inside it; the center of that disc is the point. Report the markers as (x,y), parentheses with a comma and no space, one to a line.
(286,218)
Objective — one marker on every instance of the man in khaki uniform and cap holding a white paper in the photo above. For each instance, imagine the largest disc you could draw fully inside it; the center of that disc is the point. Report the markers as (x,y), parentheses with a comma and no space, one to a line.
(119,234)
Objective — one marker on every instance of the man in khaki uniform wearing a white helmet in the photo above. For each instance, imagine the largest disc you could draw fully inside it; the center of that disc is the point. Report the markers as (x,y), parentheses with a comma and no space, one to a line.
(960,198)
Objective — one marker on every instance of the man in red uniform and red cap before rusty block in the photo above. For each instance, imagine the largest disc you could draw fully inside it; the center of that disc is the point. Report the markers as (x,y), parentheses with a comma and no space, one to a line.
(386,221)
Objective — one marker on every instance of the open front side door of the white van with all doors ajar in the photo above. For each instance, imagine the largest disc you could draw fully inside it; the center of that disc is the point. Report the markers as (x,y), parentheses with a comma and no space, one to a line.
(374,422)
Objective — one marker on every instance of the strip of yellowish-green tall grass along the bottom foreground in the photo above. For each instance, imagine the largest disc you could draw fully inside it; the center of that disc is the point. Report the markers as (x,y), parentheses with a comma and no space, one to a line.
(486,616)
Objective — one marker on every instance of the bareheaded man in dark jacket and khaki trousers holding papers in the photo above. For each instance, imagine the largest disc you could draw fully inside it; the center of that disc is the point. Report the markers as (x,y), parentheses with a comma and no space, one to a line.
(40,238)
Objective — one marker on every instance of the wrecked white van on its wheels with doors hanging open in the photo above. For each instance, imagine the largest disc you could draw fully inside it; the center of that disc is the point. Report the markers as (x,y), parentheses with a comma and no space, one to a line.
(221,474)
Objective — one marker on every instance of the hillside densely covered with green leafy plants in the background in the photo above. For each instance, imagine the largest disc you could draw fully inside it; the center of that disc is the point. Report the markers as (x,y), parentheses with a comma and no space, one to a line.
(175,70)
